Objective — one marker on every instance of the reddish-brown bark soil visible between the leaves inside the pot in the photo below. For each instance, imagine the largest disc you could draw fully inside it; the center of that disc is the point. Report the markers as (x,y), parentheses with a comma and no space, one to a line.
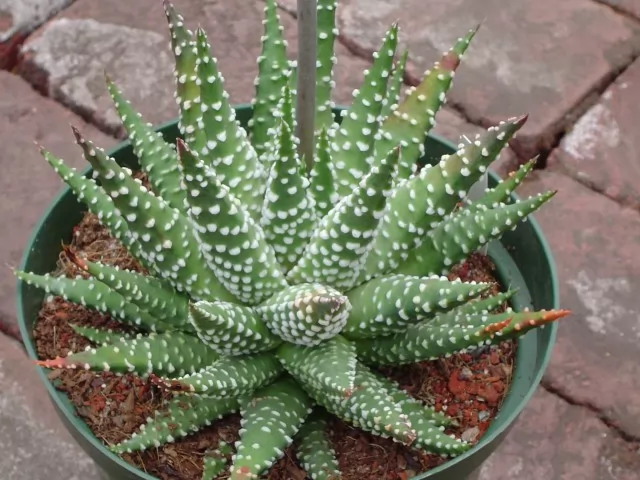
(470,388)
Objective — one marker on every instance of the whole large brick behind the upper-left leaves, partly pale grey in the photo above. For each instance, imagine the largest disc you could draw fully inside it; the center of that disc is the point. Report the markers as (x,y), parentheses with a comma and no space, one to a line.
(67,57)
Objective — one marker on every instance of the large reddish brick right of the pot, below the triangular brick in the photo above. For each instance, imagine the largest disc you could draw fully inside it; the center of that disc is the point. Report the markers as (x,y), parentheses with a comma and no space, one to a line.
(596,246)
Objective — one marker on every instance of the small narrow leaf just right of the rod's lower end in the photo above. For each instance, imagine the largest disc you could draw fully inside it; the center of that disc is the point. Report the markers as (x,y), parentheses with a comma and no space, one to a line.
(322,185)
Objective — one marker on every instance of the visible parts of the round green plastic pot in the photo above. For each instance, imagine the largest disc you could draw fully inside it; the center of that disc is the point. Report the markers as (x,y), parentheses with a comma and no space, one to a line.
(522,258)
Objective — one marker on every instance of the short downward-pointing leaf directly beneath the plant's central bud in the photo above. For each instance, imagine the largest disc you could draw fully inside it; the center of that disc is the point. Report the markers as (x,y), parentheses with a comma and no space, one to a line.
(330,365)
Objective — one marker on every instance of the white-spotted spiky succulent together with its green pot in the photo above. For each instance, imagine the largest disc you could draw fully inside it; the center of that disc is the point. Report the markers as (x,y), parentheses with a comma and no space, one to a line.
(278,265)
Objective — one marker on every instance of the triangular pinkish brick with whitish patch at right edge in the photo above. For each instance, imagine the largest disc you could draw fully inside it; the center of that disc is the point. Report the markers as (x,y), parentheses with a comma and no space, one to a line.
(602,148)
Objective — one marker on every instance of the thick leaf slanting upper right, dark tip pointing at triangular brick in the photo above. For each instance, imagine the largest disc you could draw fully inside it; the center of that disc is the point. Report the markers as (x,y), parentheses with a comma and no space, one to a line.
(419,204)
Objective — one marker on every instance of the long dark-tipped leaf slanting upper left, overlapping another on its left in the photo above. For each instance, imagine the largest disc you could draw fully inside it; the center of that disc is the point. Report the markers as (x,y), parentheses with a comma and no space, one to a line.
(165,234)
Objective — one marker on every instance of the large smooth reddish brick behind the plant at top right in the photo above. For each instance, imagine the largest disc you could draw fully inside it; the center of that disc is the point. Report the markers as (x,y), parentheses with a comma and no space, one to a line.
(541,58)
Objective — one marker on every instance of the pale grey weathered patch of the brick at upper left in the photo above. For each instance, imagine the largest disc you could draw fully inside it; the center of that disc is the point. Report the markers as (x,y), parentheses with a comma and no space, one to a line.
(74,54)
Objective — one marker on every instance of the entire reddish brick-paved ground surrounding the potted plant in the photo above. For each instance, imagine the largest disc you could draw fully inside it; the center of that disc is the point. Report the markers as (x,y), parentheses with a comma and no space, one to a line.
(570,64)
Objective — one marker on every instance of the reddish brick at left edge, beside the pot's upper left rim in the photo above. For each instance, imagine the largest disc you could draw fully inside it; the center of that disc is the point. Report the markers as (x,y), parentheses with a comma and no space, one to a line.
(28,183)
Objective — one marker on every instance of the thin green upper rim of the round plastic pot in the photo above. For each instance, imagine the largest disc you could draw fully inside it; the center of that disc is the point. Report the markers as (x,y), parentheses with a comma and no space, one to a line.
(72,419)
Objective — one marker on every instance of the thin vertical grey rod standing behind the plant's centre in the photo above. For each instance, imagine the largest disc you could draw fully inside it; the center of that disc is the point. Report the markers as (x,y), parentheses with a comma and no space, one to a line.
(305,100)
